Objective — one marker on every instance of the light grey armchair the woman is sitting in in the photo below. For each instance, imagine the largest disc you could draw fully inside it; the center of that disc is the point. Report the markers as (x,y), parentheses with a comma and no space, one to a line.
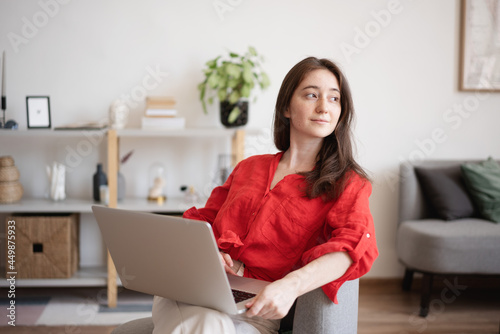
(312,313)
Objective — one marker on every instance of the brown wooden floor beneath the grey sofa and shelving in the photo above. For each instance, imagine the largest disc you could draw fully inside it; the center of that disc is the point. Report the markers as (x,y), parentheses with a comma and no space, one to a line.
(456,308)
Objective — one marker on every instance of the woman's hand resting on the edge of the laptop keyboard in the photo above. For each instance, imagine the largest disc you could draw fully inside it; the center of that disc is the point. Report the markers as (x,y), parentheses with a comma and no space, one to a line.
(274,301)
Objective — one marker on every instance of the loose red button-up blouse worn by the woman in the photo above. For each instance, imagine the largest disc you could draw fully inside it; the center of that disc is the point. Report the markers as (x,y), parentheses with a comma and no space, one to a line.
(276,231)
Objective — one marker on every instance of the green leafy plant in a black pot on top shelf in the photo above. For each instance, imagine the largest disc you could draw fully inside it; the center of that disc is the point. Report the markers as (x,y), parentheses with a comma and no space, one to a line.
(232,80)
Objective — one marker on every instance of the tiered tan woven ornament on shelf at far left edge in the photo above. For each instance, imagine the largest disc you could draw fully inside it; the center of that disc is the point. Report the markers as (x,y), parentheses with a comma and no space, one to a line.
(11,189)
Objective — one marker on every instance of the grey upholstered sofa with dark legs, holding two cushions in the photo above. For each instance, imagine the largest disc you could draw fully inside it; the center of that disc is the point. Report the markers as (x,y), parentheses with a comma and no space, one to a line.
(433,246)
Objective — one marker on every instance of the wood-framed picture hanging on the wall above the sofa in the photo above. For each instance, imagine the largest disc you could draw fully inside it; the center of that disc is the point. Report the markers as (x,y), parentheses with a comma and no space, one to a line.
(479,57)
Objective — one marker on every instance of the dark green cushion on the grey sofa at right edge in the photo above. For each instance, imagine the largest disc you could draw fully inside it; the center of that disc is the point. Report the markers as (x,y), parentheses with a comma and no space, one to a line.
(483,182)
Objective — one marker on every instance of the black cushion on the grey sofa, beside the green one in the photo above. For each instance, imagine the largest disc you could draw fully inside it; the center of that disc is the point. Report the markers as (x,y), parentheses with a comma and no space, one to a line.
(444,189)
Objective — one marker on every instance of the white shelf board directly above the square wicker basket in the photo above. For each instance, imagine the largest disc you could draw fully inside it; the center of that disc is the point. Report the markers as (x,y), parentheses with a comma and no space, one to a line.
(45,205)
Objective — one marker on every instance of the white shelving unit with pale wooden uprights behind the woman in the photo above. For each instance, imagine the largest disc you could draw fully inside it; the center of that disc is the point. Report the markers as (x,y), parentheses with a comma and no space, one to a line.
(106,276)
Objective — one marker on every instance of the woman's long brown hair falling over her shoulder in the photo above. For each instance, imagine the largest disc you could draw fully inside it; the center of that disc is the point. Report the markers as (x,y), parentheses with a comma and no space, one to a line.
(335,158)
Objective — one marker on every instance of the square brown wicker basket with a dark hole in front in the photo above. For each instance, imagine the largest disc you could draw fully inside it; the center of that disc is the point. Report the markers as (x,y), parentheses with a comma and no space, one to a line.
(46,246)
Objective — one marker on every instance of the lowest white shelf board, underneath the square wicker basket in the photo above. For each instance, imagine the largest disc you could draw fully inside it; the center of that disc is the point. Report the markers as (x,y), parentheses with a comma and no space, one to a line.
(84,277)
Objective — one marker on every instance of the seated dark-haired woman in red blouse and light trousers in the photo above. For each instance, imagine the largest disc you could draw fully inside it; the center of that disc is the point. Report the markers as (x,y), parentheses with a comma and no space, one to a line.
(299,218)
